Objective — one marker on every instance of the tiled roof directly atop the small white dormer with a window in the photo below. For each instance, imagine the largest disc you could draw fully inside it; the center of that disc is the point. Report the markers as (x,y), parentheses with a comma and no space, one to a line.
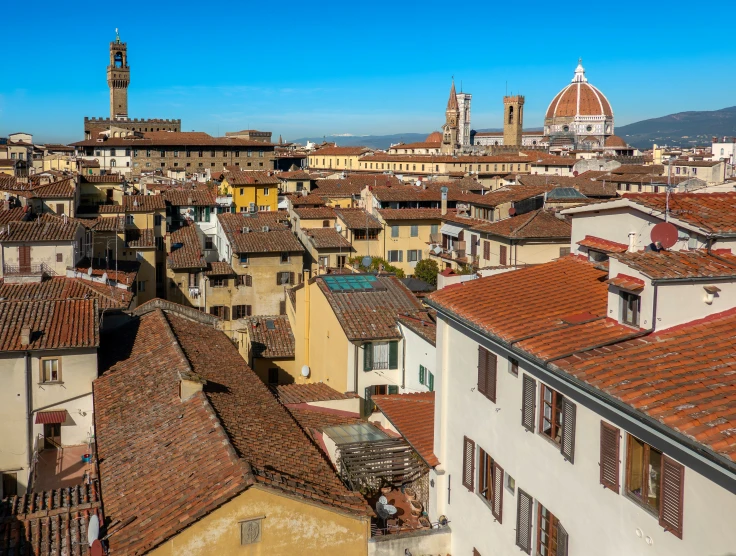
(679,265)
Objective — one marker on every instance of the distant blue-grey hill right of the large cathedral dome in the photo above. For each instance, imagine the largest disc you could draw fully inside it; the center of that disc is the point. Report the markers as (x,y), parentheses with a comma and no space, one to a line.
(684,129)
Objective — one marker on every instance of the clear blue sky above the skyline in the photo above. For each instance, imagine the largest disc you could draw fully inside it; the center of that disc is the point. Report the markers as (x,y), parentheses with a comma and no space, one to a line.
(349,67)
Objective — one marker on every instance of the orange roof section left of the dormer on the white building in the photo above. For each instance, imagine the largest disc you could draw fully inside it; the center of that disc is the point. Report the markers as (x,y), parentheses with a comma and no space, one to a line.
(551,309)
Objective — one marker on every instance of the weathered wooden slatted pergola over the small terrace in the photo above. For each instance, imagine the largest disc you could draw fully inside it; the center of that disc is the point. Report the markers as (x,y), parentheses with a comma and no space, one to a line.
(390,461)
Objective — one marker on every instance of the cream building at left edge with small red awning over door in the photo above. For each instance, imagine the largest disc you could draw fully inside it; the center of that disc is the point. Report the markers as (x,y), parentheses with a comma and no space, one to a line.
(46,399)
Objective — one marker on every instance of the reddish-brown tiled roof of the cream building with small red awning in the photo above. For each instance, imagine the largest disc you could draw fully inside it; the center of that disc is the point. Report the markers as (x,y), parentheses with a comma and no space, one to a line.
(53,324)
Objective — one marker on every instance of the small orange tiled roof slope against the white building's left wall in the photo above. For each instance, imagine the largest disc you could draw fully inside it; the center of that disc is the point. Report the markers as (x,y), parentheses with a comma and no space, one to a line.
(413,417)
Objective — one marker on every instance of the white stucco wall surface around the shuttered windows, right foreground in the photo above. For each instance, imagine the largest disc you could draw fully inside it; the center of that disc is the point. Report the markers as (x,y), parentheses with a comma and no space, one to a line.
(598,520)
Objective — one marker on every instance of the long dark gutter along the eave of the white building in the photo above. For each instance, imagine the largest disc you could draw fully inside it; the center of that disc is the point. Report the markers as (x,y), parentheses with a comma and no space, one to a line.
(700,452)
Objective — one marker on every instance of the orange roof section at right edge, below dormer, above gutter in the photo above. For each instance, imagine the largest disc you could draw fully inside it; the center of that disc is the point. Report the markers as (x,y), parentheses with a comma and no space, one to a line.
(684,377)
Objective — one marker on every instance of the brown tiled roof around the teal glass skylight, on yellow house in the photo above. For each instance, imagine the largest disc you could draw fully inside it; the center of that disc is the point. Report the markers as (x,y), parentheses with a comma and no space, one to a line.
(370,314)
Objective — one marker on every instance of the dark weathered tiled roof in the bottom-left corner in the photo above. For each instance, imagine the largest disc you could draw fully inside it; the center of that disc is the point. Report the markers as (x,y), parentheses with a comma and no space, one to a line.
(50,523)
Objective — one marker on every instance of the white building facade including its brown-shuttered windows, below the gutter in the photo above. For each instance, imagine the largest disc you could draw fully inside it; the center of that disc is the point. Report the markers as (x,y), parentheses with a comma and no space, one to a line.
(553,488)
